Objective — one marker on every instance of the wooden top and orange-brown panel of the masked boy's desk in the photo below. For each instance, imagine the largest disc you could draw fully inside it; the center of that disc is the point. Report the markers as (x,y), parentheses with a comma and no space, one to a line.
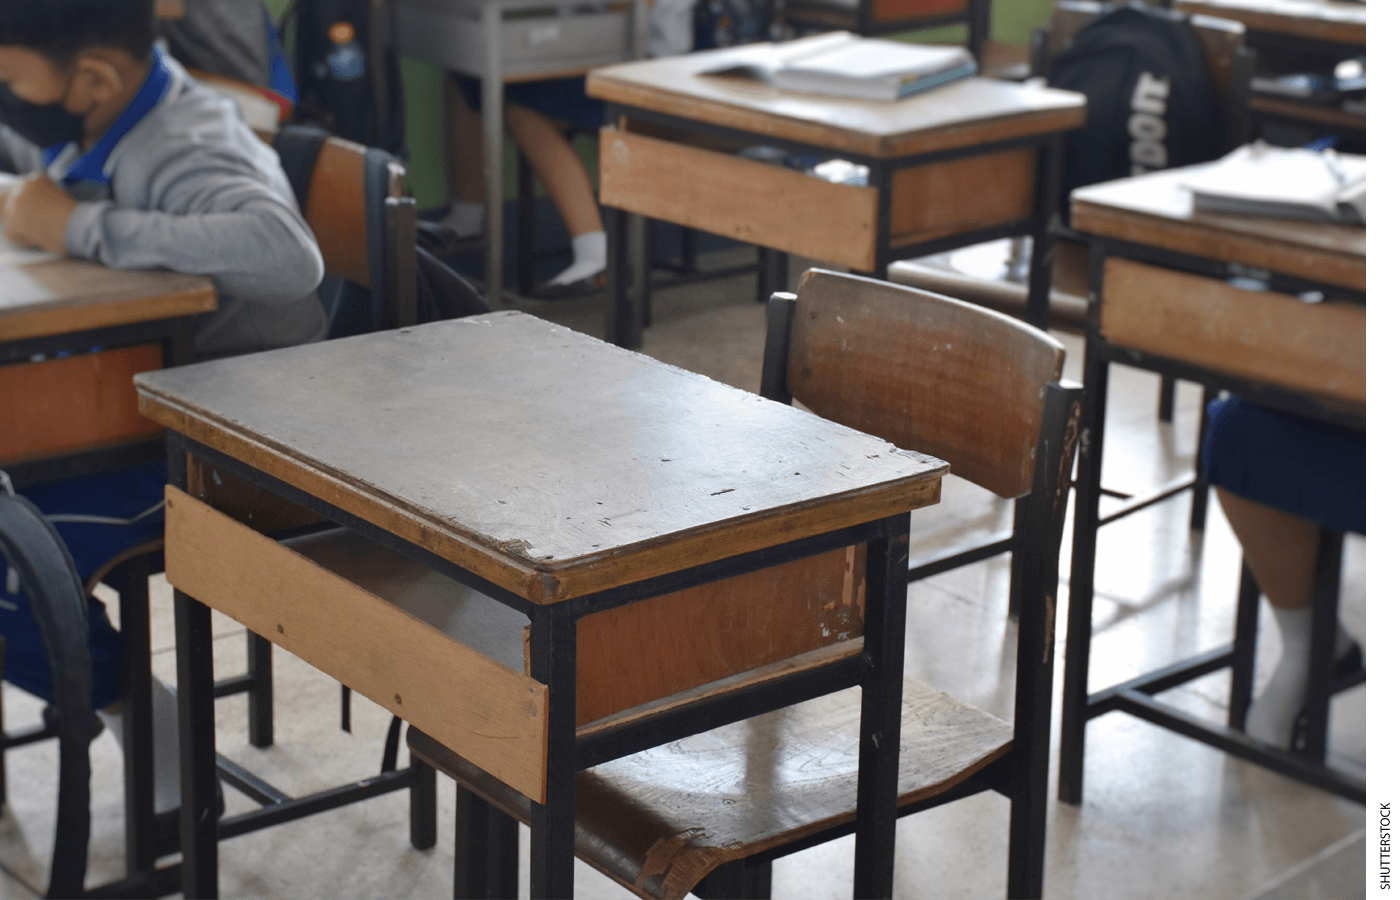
(85,401)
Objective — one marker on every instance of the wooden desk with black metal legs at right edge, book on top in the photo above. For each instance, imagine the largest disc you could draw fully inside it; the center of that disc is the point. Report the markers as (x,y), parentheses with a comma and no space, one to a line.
(1161,299)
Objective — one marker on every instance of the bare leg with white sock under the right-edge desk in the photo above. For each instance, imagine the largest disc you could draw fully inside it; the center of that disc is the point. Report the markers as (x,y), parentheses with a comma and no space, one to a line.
(1282,552)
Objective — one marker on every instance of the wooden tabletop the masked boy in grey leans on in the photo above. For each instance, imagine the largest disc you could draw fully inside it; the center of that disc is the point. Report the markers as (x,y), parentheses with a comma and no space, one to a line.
(68,296)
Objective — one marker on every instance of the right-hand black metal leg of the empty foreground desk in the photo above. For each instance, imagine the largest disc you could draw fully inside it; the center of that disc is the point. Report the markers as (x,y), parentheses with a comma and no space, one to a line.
(881,698)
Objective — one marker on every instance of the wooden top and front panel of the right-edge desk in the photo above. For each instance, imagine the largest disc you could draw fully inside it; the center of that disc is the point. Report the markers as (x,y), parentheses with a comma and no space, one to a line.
(1268,337)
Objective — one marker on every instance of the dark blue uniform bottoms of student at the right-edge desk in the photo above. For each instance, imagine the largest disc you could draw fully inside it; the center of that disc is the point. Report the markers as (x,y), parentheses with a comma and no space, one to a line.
(1308,468)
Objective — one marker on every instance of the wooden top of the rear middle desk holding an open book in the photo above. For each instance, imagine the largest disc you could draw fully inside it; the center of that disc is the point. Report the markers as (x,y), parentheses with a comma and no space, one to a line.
(968,113)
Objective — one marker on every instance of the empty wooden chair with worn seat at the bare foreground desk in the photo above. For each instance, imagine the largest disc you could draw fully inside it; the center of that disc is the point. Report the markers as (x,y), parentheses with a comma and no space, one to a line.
(710,813)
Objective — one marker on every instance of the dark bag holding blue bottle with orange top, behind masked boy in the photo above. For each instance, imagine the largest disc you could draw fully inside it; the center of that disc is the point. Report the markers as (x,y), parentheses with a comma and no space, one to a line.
(346,65)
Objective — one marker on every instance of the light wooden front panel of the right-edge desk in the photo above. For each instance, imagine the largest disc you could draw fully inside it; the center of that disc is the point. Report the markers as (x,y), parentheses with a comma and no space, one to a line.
(1318,349)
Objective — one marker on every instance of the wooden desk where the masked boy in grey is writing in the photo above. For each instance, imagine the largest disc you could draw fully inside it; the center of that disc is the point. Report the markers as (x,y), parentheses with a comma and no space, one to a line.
(72,337)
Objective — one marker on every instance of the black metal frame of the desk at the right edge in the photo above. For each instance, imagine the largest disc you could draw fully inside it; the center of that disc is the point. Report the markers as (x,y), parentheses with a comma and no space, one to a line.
(1136,696)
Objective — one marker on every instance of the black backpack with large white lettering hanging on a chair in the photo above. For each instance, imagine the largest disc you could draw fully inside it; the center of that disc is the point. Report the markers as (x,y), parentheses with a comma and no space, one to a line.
(1151,100)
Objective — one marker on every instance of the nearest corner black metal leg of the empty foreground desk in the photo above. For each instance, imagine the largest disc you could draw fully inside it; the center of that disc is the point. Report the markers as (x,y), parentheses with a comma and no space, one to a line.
(554,660)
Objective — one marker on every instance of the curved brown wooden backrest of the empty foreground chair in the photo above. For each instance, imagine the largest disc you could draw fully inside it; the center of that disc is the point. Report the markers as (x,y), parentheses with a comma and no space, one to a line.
(919,372)
